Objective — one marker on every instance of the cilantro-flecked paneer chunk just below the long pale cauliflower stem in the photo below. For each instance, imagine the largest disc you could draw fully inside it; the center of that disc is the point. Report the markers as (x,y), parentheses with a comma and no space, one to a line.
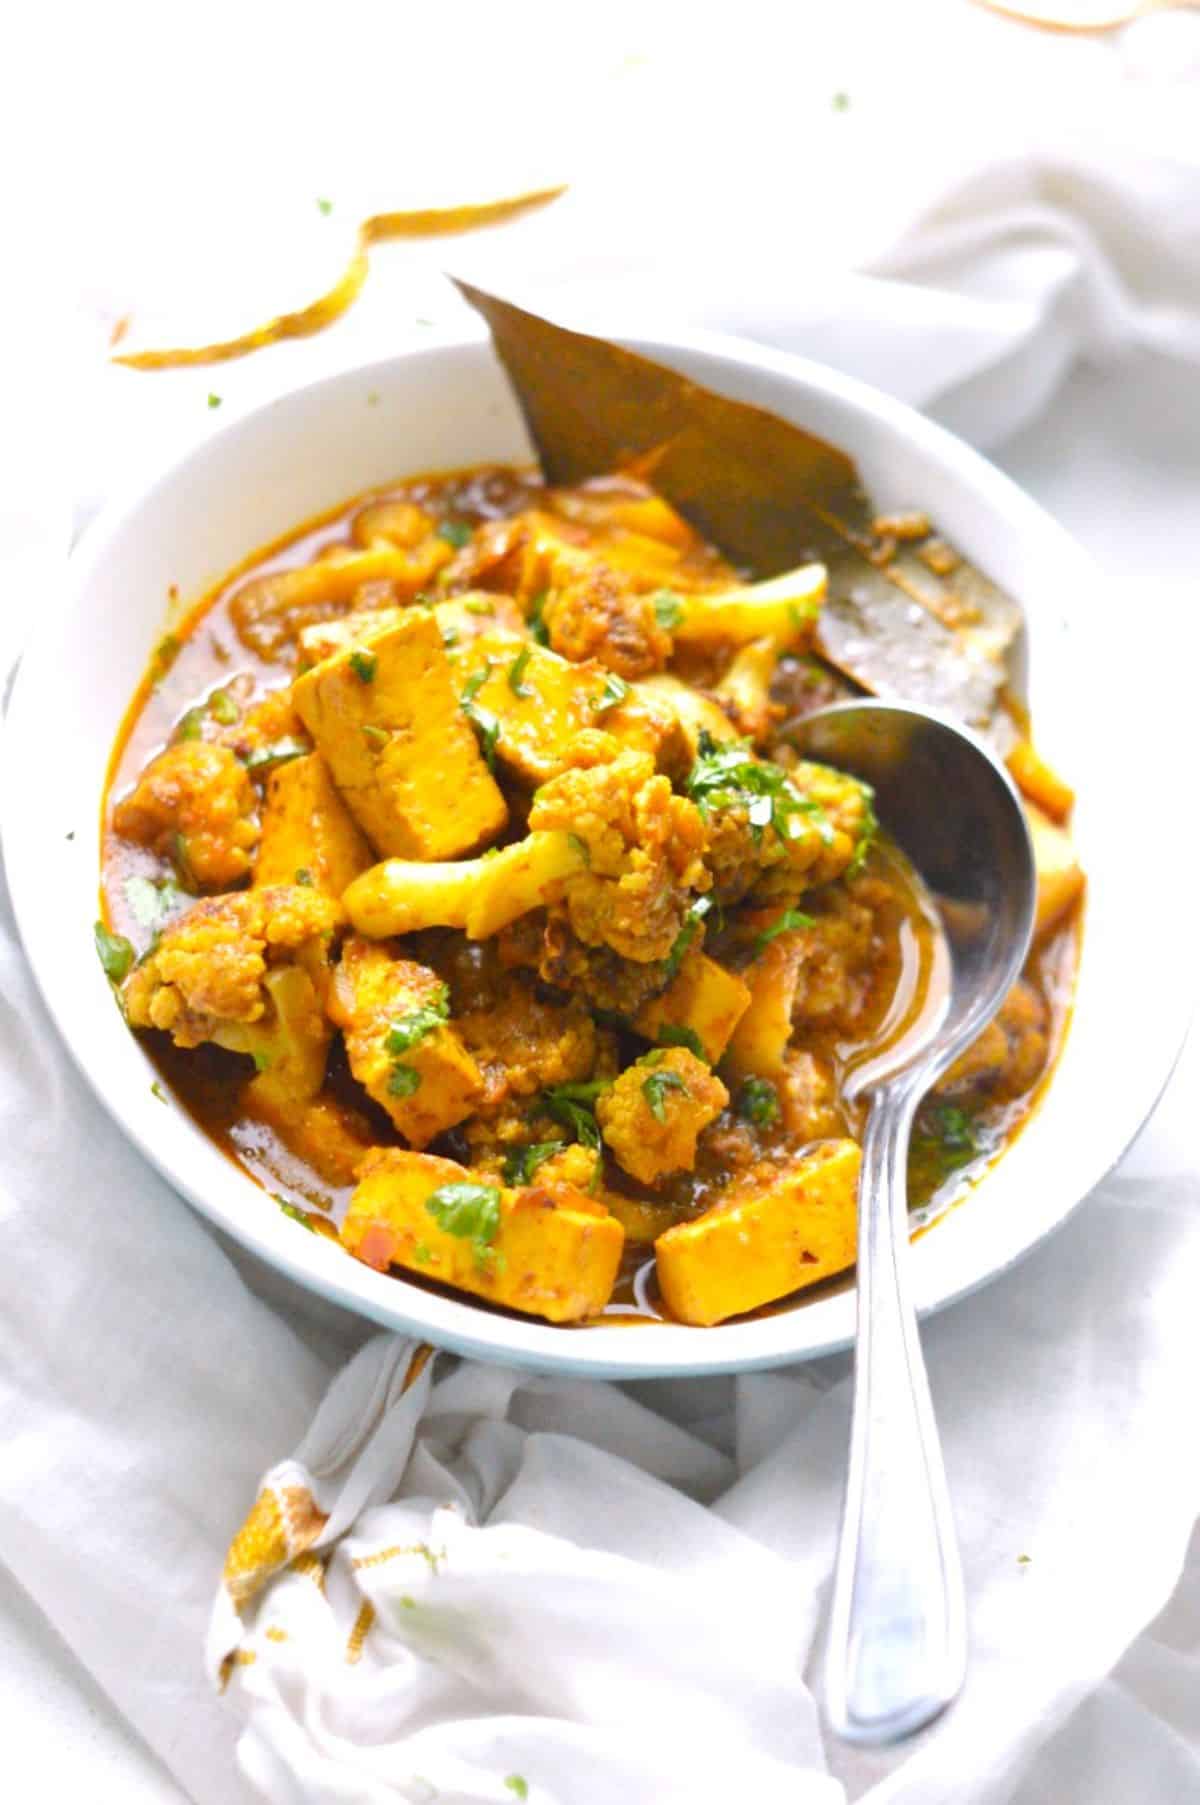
(400,1042)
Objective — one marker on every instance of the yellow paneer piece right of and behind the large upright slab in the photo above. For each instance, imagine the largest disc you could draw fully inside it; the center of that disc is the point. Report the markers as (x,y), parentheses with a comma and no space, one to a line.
(544,701)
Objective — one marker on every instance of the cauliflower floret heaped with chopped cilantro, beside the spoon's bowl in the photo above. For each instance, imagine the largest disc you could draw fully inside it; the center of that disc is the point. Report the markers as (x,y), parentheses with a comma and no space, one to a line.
(777,833)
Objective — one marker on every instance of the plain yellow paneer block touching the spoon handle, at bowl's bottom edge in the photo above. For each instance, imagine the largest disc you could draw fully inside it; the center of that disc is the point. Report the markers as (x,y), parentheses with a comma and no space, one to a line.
(764,1239)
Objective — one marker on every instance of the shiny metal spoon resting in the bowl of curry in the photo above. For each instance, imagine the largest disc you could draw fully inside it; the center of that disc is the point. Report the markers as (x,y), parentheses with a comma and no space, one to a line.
(898,1645)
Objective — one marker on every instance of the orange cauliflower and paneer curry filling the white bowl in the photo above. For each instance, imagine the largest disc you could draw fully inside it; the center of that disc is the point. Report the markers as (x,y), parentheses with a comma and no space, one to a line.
(465,885)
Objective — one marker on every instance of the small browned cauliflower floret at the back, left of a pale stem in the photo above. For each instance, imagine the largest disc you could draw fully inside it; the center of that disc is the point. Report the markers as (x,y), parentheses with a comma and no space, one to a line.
(595,613)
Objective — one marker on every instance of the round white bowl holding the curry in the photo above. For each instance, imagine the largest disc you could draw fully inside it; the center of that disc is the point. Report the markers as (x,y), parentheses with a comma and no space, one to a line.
(448,405)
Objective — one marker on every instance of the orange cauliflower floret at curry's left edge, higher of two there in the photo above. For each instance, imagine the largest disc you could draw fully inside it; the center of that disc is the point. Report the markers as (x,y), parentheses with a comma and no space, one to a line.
(196,806)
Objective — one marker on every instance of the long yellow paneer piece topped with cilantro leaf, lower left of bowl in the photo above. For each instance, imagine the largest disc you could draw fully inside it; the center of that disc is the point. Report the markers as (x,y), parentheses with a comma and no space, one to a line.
(540,1250)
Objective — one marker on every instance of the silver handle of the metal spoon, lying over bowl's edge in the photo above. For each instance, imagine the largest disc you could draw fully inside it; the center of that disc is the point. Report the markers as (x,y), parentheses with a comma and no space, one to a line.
(898,1645)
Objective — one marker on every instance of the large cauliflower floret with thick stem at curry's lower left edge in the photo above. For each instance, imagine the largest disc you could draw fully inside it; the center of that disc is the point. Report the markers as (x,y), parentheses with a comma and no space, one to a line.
(248,972)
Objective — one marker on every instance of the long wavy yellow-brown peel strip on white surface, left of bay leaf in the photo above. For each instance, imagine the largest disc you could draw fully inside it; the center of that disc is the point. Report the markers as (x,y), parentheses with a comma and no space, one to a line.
(414,223)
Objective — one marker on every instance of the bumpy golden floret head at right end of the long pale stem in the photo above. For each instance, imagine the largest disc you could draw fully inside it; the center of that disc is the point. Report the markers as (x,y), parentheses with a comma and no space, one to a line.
(643,853)
